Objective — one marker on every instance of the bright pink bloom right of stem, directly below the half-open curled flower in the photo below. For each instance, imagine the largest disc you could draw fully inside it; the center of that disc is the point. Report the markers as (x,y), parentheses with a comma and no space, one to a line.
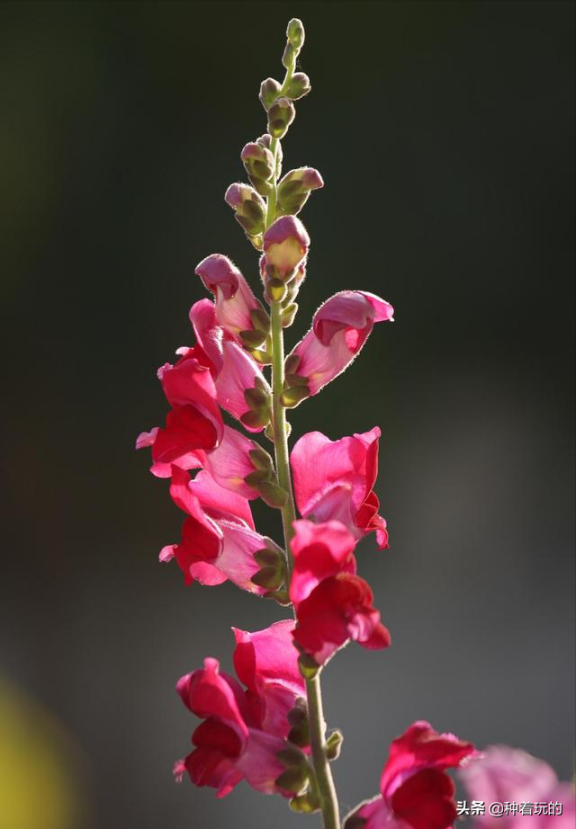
(335,479)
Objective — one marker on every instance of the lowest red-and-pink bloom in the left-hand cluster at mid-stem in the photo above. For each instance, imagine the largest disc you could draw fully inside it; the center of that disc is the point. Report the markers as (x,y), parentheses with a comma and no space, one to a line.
(219,541)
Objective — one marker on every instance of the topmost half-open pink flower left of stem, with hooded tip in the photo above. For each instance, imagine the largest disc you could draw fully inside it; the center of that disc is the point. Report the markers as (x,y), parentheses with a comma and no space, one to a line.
(234,298)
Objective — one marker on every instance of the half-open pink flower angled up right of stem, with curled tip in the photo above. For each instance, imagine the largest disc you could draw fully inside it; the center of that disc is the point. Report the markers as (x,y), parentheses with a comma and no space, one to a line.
(339,330)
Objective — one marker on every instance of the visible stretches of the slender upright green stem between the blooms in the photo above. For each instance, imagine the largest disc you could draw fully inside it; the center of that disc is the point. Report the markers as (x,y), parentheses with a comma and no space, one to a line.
(323,772)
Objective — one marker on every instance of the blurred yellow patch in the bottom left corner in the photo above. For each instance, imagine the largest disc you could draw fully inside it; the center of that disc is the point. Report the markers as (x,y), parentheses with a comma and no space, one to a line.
(39,781)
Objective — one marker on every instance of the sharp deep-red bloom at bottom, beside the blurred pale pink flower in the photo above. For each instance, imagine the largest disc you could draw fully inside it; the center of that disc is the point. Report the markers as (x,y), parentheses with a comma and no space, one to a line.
(416,791)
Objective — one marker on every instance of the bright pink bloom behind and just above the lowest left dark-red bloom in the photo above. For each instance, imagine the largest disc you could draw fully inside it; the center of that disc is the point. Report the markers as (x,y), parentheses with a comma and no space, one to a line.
(267,663)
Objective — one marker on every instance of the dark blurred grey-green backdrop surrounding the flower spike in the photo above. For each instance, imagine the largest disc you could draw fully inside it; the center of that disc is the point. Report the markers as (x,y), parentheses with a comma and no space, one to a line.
(444,132)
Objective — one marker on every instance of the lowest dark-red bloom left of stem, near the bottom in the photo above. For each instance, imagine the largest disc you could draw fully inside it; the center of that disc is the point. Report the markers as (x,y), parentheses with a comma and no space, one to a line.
(229,745)
